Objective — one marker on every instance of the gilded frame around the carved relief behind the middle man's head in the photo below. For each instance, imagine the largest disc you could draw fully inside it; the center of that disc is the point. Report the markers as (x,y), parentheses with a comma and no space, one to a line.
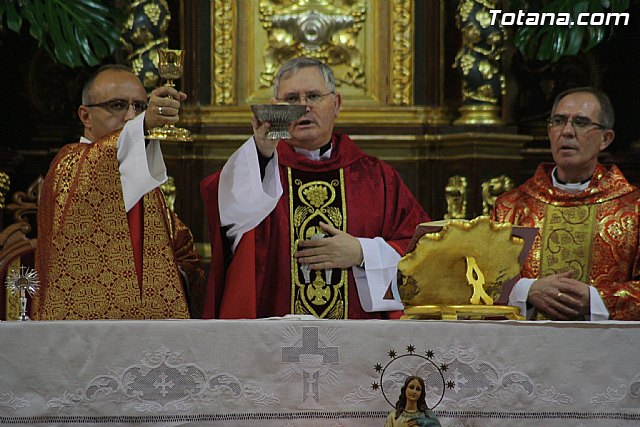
(385,40)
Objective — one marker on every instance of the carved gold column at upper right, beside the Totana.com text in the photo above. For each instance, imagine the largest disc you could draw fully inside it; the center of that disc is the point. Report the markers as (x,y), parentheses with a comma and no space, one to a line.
(478,62)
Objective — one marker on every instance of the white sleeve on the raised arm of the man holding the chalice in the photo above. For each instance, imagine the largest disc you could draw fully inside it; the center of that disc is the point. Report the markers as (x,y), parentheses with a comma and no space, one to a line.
(142,167)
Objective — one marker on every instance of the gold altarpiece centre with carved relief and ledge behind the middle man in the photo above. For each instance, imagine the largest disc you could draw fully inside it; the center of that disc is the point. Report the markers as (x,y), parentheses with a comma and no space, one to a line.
(369,44)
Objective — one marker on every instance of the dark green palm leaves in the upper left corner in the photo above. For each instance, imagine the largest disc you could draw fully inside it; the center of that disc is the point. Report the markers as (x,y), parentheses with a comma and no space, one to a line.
(73,32)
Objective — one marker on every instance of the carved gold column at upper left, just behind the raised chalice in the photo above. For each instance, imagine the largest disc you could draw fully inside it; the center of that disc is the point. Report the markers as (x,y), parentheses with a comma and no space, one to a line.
(143,34)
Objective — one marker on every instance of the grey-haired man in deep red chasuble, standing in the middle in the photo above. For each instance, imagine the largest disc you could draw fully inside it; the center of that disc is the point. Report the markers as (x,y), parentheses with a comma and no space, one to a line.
(309,225)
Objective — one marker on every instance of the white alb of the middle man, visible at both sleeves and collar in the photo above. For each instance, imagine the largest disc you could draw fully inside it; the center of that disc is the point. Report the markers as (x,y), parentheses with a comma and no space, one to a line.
(245,200)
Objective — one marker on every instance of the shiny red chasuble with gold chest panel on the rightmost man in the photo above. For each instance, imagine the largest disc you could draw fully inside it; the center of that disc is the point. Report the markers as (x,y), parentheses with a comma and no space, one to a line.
(594,233)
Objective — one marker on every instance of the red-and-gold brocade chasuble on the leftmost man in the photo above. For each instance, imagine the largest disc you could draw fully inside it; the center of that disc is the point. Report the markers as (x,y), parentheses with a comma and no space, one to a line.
(91,270)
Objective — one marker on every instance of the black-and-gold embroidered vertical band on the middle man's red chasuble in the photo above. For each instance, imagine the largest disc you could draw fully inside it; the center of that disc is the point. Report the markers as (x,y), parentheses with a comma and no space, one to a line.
(323,294)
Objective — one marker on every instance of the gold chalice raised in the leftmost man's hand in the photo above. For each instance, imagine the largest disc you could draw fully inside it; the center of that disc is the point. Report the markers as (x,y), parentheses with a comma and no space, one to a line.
(170,68)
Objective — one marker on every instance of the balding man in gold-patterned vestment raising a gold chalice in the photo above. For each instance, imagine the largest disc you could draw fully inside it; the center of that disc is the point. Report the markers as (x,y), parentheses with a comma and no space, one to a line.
(108,246)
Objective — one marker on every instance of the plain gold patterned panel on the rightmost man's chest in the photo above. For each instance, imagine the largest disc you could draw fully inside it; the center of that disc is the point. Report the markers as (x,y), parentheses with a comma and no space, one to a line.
(567,235)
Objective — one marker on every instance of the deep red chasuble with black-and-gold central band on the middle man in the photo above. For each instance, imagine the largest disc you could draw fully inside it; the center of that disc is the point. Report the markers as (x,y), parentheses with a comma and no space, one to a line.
(257,281)
